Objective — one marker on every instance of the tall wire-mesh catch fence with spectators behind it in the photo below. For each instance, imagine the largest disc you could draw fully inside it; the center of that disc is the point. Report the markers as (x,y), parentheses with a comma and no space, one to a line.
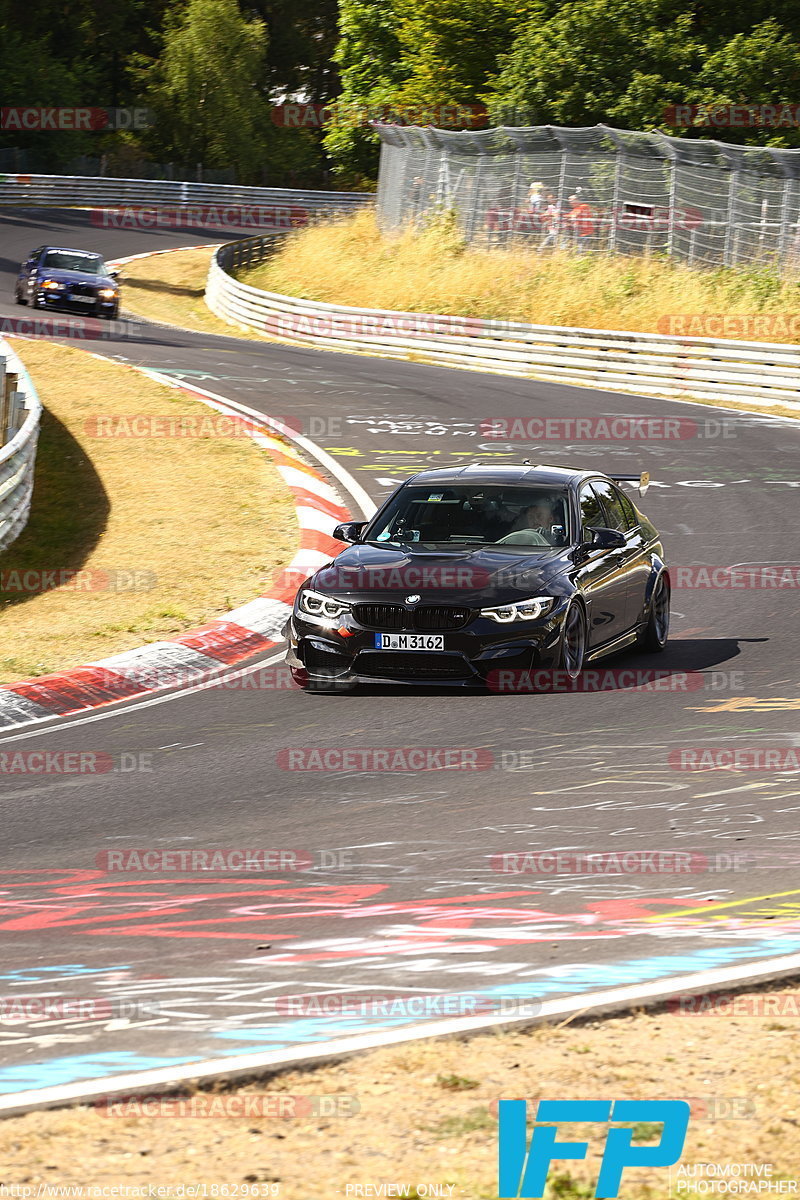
(598,190)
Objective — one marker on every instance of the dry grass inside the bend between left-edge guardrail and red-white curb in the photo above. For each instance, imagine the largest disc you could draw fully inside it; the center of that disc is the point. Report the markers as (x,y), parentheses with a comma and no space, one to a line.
(170,531)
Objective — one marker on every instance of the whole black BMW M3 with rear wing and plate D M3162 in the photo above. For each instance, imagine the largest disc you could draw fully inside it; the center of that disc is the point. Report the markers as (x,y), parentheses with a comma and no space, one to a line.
(476,574)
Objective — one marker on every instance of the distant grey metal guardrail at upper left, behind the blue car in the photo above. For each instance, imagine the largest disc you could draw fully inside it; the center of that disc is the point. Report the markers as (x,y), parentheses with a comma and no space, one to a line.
(101,191)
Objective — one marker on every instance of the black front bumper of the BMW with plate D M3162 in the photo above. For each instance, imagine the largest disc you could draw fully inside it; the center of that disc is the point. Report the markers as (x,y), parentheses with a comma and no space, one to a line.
(472,657)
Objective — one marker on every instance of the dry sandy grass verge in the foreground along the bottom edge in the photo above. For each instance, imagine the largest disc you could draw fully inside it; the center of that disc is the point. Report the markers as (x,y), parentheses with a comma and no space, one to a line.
(428,1115)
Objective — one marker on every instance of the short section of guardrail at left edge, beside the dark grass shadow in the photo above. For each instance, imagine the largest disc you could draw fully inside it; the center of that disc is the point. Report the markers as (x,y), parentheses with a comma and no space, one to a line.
(21,412)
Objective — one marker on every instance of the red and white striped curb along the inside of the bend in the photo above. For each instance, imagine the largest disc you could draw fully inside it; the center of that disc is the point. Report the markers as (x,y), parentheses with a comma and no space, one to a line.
(240,634)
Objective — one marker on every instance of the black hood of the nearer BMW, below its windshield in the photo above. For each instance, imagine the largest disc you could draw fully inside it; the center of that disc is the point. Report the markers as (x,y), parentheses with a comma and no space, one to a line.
(471,575)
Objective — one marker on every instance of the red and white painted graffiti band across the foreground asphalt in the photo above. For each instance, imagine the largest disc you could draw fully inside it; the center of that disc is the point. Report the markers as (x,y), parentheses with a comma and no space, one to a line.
(105,905)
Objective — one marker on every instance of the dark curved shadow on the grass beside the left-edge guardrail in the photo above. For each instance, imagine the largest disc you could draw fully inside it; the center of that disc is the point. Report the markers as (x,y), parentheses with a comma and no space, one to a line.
(69,514)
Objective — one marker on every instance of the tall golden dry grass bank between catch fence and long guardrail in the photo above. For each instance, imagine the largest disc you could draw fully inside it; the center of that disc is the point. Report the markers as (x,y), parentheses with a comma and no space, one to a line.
(347,262)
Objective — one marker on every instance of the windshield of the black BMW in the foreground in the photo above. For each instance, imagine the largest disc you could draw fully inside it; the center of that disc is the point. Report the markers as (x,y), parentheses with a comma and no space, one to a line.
(435,515)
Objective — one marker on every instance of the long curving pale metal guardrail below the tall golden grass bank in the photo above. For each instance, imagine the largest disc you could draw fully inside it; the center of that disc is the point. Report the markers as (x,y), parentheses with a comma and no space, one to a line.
(655,364)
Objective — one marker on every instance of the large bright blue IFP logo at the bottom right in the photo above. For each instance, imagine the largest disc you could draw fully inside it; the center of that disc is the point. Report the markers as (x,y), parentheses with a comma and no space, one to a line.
(524,1169)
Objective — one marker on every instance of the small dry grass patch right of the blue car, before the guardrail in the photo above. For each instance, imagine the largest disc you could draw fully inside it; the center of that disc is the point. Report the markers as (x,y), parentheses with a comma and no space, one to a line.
(171,289)
